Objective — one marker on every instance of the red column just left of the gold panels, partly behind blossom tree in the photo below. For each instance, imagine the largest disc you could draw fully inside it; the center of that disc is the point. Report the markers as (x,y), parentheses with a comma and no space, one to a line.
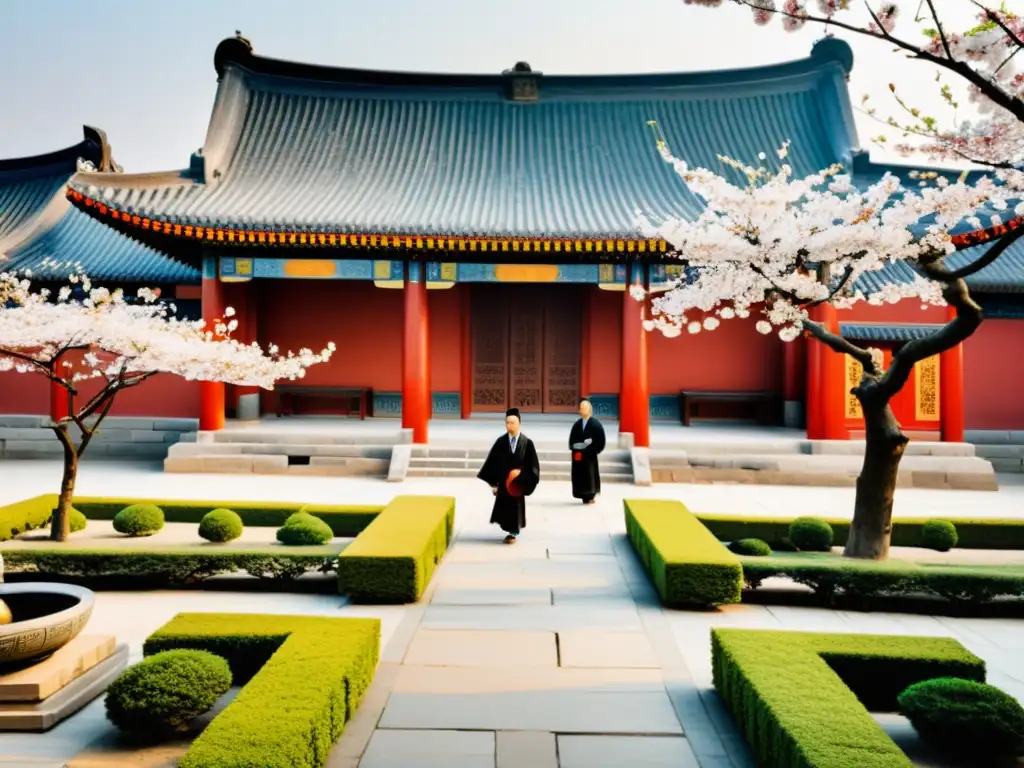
(826,382)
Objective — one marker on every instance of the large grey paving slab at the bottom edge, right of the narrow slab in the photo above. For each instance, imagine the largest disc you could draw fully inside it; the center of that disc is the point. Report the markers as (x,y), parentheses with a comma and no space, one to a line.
(617,752)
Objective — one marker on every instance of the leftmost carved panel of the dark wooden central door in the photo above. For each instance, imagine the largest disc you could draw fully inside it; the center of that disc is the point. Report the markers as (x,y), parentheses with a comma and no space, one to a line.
(490,321)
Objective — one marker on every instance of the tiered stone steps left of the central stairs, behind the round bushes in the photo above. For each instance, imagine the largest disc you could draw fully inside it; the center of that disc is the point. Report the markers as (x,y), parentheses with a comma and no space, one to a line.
(253,451)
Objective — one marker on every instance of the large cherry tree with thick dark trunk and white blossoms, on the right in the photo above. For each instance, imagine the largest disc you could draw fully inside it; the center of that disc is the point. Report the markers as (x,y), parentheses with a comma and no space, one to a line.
(781,246)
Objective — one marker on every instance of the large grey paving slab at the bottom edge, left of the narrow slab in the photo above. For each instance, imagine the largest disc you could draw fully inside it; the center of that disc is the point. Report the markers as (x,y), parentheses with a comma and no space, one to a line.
(441,749)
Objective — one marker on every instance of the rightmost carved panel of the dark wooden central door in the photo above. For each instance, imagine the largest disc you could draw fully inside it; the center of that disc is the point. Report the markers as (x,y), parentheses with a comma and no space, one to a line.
(563,339)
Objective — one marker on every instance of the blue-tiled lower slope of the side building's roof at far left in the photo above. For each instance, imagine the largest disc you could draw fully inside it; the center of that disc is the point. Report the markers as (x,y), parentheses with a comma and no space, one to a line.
(80,244)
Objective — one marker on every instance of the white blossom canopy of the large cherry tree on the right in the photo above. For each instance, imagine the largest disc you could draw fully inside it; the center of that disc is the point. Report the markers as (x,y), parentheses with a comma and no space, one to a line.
(779,244)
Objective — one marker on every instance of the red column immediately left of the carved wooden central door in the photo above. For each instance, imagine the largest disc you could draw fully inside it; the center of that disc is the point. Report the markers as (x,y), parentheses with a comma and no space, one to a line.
(416,355)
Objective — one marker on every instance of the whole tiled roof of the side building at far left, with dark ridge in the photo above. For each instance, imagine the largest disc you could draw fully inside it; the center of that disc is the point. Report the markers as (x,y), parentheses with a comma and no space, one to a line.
(42,234)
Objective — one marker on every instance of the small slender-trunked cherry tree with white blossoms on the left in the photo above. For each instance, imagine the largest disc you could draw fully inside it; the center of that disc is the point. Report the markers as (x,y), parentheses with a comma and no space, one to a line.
(121,344)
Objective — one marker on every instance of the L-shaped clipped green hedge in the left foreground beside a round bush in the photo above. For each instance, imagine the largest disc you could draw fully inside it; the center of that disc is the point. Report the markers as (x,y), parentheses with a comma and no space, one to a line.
(305,677)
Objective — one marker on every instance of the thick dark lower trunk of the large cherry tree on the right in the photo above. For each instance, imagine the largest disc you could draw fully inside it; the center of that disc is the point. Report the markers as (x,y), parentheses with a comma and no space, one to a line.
(873,510)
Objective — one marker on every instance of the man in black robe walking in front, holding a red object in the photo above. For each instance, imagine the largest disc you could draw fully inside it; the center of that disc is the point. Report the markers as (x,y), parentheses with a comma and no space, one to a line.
(513,471)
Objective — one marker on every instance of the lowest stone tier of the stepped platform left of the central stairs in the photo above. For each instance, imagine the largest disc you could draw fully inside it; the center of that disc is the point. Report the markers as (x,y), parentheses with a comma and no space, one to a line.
(278,465)
